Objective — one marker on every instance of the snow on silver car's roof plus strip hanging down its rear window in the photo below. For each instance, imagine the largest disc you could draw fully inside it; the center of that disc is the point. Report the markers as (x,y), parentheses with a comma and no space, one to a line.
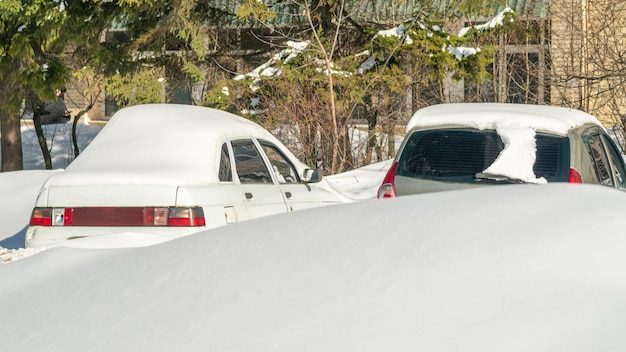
(516,124)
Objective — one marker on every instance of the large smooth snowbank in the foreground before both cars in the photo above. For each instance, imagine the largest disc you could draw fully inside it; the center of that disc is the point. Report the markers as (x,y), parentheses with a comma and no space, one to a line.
(522,268)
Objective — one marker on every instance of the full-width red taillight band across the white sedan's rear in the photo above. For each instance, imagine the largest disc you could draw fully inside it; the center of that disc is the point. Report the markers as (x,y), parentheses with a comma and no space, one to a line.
(118,216)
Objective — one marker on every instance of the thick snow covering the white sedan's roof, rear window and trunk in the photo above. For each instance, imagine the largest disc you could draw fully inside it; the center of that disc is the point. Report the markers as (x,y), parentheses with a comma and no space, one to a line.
(160,144)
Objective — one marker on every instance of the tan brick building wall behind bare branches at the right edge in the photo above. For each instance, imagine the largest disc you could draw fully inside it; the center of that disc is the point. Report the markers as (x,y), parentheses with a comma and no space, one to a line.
(587,48)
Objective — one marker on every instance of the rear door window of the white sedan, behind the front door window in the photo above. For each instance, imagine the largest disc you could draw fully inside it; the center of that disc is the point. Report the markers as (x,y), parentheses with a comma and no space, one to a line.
(248,163)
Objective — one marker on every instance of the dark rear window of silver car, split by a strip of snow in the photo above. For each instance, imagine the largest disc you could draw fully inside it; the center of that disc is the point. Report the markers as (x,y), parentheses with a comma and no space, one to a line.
(457,155)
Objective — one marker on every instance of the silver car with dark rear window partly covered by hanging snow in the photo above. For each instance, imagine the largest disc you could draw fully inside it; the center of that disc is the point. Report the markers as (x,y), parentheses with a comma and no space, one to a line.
(454,146)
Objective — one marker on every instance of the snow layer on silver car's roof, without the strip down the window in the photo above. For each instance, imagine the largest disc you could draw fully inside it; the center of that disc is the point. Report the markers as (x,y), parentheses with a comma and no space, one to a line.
(544,118)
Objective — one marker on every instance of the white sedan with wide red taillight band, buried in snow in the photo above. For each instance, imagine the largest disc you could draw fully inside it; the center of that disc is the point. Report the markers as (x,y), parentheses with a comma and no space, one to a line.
(173,170)
